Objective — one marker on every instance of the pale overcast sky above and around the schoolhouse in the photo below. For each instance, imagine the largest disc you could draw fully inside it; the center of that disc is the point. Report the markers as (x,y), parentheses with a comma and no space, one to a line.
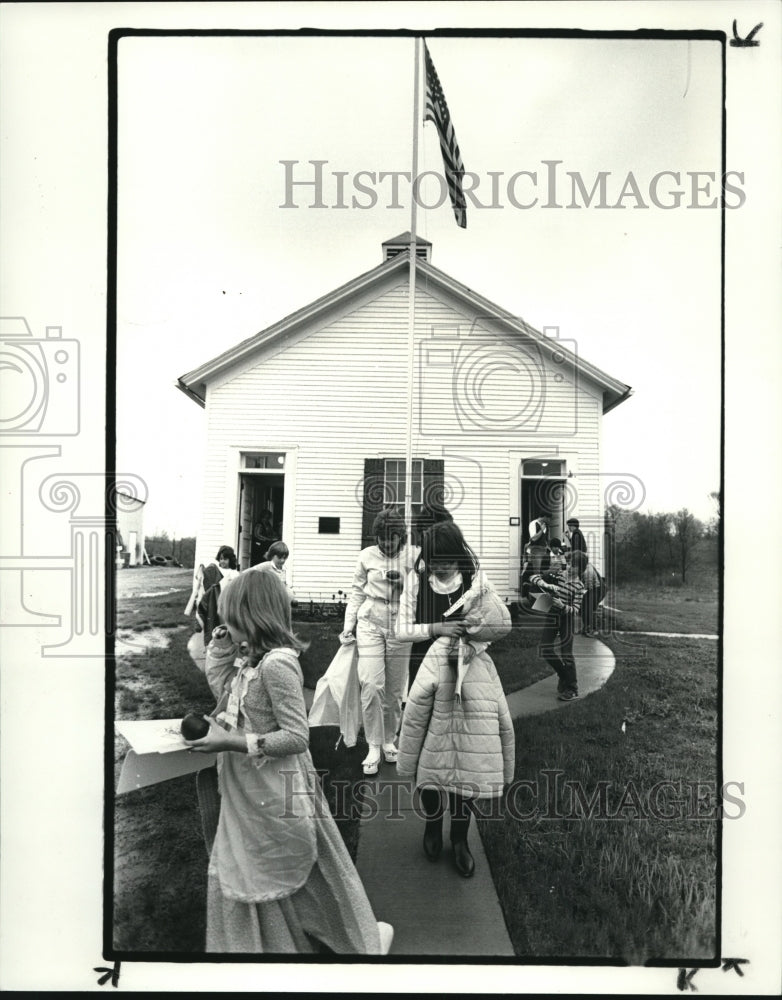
(207,255)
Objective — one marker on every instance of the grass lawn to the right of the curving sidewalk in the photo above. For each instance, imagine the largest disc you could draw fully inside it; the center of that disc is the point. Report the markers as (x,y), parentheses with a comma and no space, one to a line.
(624,883)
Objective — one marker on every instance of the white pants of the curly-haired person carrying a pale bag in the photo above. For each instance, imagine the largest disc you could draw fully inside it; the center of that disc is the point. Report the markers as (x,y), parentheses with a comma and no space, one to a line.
(382,671)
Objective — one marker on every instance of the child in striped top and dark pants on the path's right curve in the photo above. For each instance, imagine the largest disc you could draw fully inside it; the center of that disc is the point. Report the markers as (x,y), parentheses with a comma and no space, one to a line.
(567,591)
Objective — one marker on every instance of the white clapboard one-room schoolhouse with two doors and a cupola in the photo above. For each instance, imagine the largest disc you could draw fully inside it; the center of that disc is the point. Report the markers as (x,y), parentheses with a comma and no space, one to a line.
(307,424)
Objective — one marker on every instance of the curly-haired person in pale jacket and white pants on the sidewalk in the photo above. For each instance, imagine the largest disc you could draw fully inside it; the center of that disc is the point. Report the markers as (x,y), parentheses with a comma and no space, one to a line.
(370,619)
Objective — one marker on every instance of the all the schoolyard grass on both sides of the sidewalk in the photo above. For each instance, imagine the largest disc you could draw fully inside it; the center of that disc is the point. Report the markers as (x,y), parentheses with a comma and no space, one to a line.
(624,883)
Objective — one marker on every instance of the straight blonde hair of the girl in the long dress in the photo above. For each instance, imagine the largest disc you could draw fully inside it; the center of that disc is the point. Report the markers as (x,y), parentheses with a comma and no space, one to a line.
(258,605)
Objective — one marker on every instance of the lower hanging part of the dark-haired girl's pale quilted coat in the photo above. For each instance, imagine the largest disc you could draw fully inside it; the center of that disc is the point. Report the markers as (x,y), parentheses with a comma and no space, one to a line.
(463,745)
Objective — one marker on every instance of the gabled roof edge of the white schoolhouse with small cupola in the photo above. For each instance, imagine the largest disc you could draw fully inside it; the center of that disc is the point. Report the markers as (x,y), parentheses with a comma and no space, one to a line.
(194,383)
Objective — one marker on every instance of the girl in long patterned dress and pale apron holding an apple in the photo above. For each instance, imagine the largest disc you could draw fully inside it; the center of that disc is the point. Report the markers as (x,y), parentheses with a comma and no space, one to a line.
(280,878)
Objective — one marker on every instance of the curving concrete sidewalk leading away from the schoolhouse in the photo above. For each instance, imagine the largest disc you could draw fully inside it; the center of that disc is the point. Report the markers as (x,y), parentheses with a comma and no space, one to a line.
(433,909)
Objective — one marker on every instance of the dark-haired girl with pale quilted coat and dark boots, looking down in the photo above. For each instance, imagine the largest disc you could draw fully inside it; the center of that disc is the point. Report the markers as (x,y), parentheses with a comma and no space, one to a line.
(457,735)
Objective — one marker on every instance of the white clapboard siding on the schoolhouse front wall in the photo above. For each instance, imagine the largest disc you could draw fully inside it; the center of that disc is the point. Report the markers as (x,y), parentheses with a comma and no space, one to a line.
(339,396)
